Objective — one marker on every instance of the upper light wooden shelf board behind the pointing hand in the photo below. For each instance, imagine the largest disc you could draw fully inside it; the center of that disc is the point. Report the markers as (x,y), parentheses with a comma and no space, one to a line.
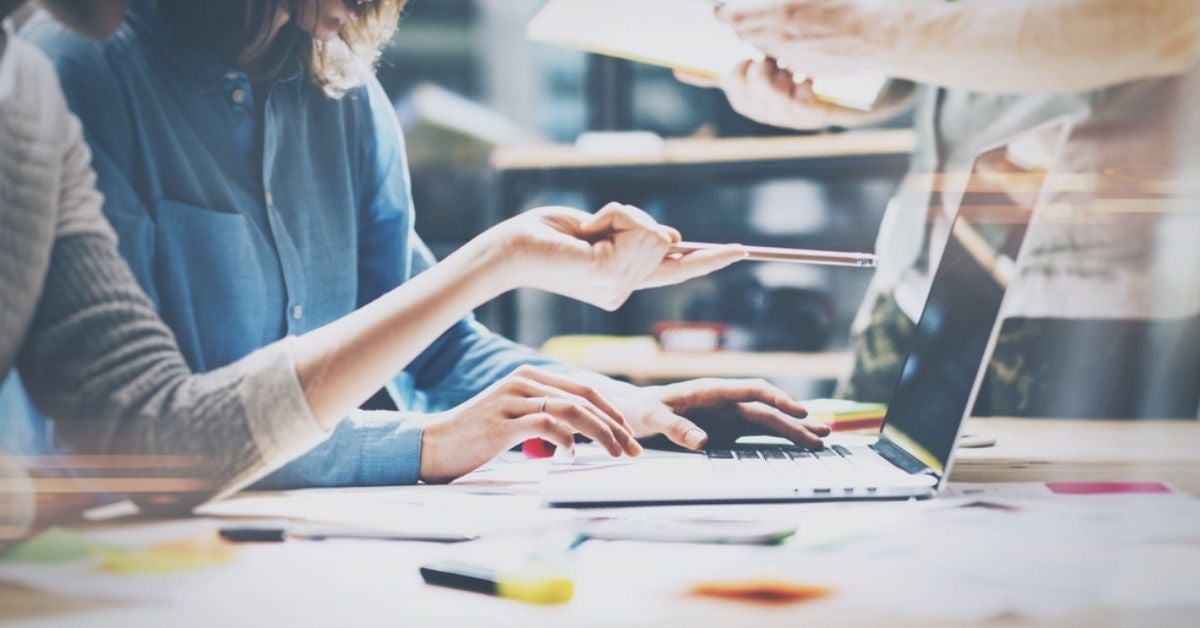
(712,151)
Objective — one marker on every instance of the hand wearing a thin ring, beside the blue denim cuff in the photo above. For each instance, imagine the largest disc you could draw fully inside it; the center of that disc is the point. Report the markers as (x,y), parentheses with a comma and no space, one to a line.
(531,403)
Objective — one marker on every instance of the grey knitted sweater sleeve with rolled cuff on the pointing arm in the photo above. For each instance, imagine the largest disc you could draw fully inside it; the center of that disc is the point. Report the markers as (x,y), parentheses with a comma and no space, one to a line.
(109,370)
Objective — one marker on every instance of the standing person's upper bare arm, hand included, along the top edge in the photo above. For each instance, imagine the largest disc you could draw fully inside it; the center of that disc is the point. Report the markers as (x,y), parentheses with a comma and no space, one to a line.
(1015,46)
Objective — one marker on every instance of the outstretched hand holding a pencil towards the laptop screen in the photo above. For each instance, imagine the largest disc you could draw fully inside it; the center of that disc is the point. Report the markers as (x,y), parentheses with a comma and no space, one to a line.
(601,259)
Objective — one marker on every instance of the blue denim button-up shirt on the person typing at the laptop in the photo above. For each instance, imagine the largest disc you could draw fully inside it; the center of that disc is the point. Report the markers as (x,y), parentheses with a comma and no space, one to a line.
(238,253)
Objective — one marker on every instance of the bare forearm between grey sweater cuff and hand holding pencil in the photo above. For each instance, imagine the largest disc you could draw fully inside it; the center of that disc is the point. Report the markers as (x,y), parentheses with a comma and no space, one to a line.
(345,362)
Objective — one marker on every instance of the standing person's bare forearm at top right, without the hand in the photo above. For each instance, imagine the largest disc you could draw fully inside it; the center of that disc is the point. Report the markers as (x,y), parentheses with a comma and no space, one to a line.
(1036,46)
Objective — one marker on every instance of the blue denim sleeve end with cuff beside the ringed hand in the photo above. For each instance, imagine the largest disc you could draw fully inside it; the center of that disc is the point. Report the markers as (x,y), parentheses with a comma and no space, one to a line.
(367,450)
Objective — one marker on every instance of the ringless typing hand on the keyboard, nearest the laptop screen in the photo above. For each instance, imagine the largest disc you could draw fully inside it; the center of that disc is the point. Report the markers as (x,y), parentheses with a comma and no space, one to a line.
(716,412)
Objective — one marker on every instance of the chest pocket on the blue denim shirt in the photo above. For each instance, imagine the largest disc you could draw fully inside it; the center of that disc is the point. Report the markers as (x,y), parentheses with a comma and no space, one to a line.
(219,284)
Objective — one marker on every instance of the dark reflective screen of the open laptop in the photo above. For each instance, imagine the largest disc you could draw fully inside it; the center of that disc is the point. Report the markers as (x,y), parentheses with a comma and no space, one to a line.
(939,376)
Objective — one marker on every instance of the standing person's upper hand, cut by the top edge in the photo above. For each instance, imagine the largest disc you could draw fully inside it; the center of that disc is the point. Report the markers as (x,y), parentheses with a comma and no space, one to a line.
(819,38)
